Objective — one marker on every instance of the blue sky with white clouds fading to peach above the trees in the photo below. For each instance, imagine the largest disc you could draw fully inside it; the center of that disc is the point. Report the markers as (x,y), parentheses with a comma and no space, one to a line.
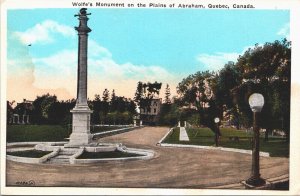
(128,45)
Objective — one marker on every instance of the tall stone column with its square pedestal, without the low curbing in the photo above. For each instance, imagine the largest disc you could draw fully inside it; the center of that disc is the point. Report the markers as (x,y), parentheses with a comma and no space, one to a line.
(81,112)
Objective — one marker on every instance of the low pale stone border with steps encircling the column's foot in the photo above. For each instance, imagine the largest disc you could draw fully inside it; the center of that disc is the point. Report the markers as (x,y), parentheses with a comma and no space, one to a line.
(60,154)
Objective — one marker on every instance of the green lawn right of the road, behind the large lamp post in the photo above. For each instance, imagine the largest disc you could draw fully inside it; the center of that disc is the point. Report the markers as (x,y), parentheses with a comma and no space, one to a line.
(277,147)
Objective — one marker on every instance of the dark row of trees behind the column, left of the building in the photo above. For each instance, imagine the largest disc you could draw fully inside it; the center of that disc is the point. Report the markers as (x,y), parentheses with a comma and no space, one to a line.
(46,109)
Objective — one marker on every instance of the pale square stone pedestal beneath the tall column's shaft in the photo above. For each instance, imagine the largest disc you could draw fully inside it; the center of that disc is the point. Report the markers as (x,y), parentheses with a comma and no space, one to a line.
(81,135)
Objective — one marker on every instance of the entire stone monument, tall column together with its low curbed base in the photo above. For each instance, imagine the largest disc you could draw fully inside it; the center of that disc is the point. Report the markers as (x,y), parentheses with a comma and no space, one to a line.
(81,138)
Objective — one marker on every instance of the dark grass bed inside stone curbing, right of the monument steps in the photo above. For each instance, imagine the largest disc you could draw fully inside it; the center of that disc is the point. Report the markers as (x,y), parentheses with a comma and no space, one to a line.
(103,155)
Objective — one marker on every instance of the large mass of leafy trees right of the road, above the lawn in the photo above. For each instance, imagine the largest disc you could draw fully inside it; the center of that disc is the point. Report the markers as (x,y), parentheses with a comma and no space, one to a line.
(263,69)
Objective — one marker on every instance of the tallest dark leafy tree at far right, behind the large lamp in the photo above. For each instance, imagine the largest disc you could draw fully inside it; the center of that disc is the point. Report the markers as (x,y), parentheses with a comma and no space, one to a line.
(267,69)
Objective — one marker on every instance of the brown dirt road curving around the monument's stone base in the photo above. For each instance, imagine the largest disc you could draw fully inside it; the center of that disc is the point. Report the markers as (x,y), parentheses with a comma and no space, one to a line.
(170,168)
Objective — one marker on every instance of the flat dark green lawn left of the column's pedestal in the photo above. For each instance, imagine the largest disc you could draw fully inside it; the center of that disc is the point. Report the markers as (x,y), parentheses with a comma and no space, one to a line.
(29,133)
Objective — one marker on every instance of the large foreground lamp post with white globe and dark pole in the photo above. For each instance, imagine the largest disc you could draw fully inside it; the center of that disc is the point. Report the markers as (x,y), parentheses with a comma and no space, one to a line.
(256,102)
